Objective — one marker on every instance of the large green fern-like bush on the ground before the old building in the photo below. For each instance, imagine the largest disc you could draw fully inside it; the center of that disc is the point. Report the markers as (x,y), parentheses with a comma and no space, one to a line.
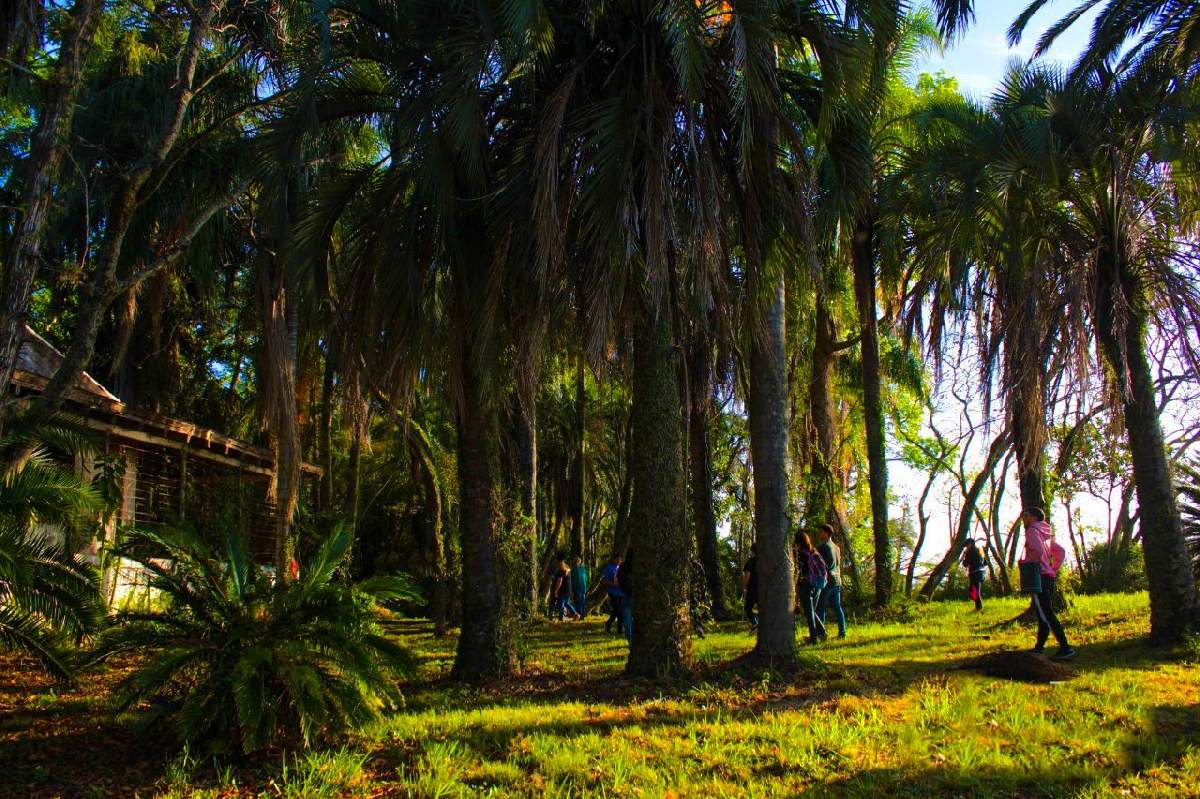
(238,662)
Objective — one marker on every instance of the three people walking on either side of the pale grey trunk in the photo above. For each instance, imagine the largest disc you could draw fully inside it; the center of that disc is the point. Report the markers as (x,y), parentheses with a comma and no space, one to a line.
(819,588)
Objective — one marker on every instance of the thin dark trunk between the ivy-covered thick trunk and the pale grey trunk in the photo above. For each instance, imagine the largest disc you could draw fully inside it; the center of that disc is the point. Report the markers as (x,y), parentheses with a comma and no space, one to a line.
(700,385)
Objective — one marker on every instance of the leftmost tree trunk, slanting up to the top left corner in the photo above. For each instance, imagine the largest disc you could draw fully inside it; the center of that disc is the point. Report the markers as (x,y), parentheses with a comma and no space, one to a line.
(39,177)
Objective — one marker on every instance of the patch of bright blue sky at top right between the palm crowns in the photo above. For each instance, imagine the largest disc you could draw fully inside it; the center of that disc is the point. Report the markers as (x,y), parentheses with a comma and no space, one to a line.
(980,58)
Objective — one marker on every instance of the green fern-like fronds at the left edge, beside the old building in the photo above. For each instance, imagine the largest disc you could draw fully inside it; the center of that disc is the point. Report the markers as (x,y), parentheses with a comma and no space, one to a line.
(50,598)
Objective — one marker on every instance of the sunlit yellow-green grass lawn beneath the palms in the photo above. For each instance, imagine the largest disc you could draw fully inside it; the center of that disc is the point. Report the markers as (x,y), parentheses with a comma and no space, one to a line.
(886,713)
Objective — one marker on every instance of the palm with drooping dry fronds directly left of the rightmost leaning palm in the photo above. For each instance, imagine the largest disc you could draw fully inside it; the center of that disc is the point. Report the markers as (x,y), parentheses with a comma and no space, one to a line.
(987,250)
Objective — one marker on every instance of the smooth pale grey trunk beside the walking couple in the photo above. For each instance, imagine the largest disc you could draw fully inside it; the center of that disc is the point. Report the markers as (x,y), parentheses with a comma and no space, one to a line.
(769,452)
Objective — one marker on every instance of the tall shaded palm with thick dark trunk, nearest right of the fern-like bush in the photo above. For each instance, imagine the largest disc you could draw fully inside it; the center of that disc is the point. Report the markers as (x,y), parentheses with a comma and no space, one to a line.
(421,296)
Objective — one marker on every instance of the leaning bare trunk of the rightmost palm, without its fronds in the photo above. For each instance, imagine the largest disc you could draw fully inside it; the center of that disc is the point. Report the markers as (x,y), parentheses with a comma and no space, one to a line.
(1173,593)
